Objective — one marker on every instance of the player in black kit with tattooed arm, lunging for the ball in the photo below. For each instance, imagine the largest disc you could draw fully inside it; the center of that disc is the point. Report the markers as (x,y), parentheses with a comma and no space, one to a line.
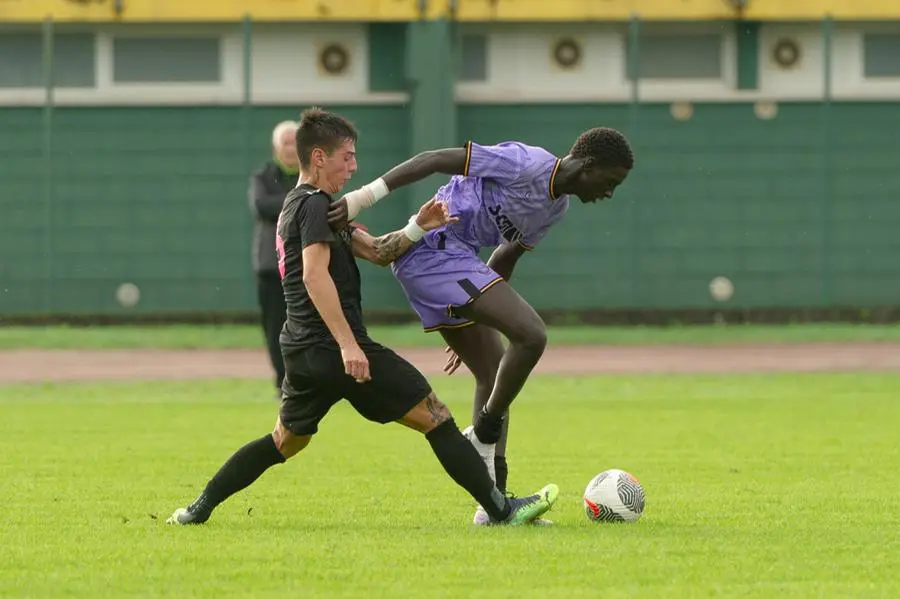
(327,353)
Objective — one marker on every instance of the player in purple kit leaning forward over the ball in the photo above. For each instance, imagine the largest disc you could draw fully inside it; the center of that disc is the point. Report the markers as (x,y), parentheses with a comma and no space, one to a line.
(506,196)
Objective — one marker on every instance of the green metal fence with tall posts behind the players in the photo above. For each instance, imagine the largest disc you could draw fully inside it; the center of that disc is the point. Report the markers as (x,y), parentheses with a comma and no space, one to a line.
(799,210)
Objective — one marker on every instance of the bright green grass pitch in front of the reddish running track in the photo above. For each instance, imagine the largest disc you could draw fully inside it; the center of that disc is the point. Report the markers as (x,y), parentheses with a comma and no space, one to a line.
(757,486)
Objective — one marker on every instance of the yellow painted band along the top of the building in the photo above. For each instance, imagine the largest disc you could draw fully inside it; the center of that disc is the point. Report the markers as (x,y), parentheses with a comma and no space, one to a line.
(466,10)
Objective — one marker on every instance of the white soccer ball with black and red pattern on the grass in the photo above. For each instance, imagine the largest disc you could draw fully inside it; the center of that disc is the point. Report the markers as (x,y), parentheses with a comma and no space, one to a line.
(614,496)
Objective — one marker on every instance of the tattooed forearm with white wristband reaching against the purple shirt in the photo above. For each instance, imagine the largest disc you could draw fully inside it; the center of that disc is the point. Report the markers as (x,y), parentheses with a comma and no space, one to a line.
(385,249)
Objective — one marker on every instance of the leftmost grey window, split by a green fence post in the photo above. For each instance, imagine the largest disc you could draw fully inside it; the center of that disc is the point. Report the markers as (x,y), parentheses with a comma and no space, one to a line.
(22,60)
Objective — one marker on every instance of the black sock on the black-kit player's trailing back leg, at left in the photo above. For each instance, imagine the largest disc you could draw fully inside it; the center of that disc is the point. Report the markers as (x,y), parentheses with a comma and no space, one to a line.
(239,472)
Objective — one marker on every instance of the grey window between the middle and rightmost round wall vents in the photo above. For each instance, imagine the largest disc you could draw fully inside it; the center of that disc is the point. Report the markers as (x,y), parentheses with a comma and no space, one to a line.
(677,57)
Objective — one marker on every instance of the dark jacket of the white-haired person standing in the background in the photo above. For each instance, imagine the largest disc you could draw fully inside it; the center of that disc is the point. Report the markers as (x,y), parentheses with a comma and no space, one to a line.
(268,187)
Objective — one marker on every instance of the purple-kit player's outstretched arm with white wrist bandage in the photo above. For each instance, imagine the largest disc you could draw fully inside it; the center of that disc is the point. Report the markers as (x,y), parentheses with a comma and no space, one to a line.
(448,161)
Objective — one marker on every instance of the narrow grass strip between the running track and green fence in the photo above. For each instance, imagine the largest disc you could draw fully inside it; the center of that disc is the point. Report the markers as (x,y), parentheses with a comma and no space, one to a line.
(241,337)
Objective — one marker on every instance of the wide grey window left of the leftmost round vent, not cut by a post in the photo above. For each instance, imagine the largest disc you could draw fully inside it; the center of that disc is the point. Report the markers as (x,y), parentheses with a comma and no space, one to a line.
(166,60)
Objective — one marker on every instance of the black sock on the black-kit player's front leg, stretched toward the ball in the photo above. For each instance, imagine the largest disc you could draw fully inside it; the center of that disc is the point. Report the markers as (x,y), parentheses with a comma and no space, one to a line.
(462,462)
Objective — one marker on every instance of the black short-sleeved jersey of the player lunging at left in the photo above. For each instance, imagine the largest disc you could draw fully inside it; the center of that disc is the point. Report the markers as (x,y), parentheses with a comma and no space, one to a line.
(303,222)
